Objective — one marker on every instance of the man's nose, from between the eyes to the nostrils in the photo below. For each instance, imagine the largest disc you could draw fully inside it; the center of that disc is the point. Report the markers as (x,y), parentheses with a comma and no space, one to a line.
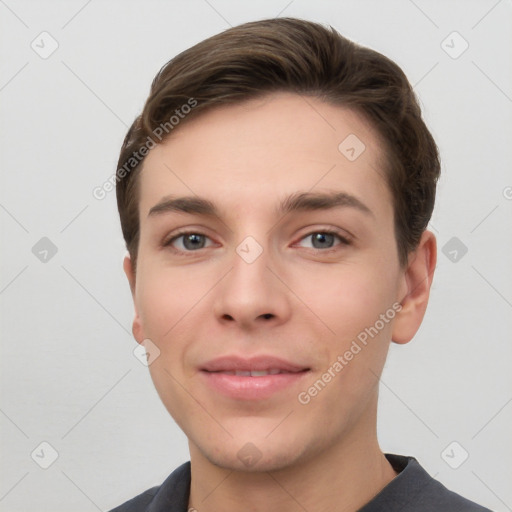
(253,293)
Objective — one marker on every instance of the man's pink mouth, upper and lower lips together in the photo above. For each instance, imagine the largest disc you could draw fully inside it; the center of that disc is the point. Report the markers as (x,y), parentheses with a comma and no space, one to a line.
(241,387)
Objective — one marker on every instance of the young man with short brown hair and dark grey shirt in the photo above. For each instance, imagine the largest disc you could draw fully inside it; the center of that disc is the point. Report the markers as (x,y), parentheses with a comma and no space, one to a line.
(274,196)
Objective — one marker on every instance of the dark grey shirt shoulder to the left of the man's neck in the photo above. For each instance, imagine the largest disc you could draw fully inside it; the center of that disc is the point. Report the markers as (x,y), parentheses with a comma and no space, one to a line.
(171,495)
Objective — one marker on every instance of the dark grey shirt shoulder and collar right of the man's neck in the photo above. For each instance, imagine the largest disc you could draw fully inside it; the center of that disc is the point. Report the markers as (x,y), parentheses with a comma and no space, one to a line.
(413,489)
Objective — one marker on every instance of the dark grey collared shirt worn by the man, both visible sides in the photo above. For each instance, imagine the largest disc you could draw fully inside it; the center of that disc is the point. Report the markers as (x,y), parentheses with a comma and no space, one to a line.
(413,490)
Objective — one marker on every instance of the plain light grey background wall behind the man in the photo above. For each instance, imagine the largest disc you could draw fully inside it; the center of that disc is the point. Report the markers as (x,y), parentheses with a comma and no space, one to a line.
(68,374)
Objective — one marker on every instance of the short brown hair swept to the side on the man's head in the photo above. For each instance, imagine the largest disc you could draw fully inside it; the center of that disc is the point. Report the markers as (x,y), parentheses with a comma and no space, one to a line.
(298,56)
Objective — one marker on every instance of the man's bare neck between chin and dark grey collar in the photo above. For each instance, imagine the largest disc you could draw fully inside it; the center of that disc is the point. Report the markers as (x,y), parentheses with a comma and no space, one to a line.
(343,477)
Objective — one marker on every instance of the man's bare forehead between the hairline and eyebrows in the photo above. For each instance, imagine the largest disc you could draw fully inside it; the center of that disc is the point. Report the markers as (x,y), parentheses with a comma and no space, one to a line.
(251,154)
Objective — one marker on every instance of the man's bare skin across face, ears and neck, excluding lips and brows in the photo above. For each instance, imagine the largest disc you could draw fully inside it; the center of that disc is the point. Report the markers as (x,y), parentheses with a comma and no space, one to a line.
(298,300)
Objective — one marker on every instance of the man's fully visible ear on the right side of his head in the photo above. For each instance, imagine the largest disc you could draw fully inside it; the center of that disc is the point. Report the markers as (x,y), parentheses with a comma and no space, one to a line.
(415,289)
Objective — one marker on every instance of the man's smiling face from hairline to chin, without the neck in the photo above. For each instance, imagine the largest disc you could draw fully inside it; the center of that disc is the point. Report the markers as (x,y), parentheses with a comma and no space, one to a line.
(264,277)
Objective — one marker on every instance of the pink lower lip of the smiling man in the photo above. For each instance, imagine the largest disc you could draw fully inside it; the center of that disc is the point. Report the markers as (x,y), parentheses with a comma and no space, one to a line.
(252,388)
